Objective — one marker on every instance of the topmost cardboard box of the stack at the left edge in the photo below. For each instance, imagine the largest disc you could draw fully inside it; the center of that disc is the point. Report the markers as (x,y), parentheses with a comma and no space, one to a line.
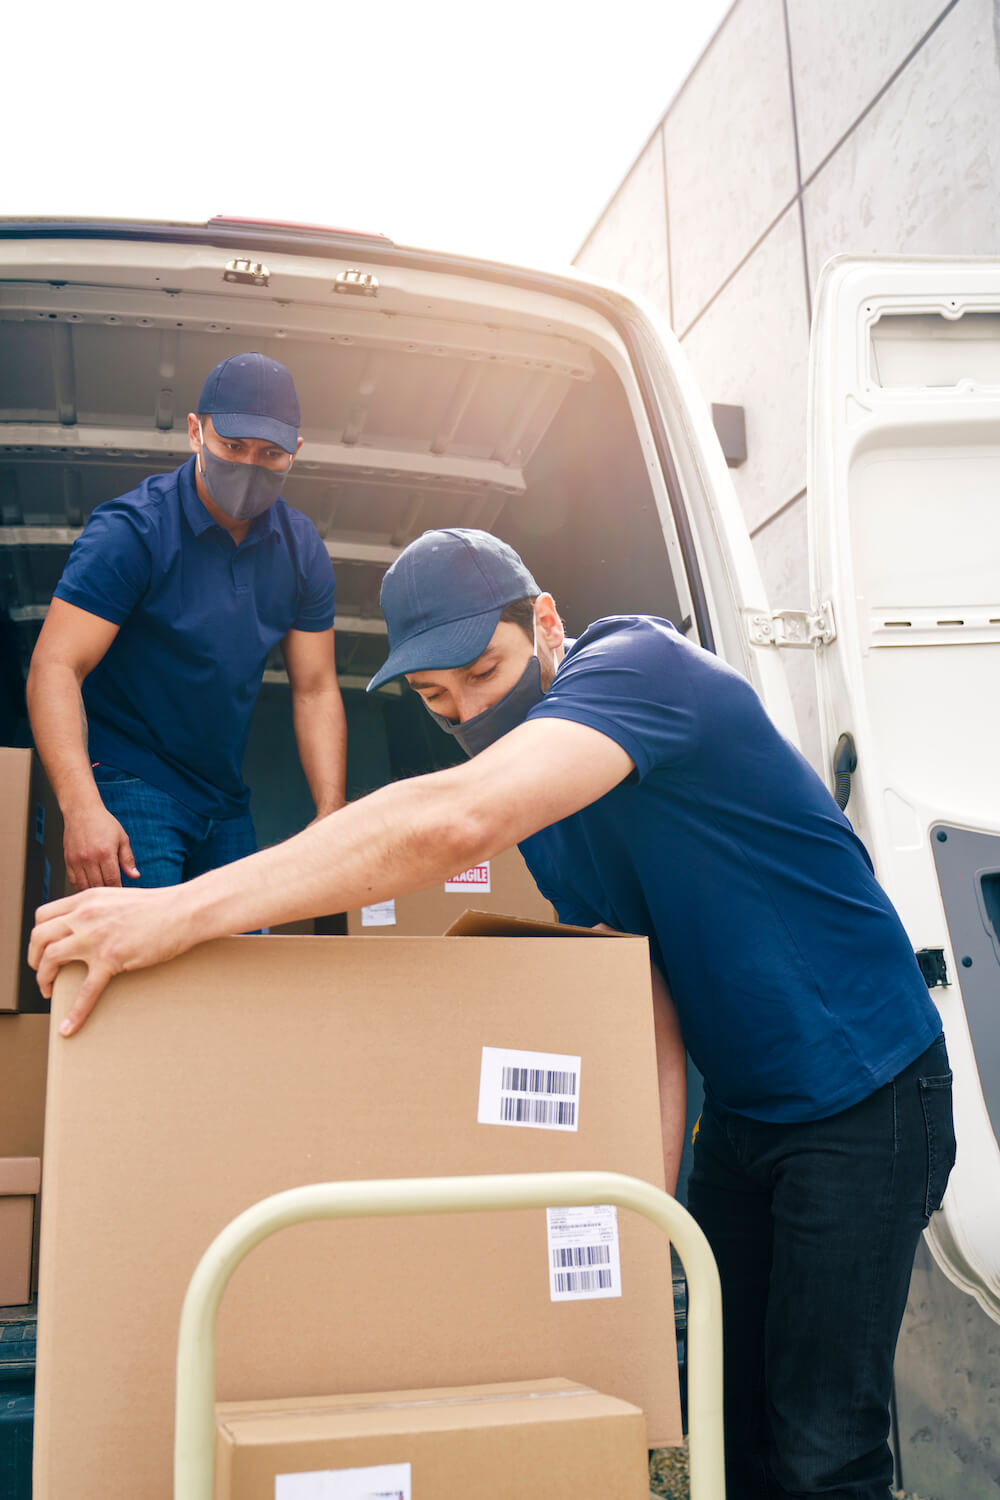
(32,871)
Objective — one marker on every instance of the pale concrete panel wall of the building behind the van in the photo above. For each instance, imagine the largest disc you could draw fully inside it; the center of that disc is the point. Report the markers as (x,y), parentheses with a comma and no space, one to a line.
(803,133)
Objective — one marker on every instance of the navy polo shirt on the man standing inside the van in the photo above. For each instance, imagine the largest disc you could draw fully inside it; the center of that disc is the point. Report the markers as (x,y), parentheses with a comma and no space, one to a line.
(173,697)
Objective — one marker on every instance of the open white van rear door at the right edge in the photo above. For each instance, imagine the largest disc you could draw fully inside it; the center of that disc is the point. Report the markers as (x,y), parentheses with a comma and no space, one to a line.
(905,541)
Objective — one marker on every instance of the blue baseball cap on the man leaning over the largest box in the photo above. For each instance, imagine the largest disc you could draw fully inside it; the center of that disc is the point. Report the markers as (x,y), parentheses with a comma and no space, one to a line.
(443,599)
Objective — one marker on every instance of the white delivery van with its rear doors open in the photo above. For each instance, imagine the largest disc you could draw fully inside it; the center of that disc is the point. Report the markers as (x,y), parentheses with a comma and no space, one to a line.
(561,415)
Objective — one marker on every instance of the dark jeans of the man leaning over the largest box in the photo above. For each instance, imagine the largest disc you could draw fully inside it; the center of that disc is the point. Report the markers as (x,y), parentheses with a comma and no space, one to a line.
(815,1228)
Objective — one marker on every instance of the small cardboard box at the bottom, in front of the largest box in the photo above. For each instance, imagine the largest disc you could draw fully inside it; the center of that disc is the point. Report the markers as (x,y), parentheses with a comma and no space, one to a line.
(524,1441)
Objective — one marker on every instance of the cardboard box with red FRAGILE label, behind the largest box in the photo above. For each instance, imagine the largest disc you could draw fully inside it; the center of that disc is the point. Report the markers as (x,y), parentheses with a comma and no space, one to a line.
(501,884)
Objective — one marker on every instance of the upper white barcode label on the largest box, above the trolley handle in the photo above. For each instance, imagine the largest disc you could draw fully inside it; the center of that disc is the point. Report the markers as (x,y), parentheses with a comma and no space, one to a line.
(530,1090)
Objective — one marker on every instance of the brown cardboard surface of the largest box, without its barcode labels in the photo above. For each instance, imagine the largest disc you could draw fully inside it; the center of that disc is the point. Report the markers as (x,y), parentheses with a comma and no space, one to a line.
(254,1066)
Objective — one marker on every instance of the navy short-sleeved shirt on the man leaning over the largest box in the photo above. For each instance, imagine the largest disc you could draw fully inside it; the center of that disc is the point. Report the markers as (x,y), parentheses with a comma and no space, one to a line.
(792,976)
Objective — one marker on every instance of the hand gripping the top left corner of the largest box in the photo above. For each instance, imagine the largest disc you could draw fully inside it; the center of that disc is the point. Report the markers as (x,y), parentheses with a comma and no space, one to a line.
(110,931)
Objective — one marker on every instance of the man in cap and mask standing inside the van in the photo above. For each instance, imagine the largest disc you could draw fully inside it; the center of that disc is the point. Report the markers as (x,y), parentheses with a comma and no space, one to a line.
(154,650)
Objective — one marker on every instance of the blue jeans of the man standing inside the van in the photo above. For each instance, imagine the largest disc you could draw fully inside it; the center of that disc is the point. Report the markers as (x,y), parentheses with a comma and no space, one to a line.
(169,841)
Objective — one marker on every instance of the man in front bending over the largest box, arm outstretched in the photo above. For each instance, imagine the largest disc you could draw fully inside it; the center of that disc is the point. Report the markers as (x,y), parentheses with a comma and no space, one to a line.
(650,793)
